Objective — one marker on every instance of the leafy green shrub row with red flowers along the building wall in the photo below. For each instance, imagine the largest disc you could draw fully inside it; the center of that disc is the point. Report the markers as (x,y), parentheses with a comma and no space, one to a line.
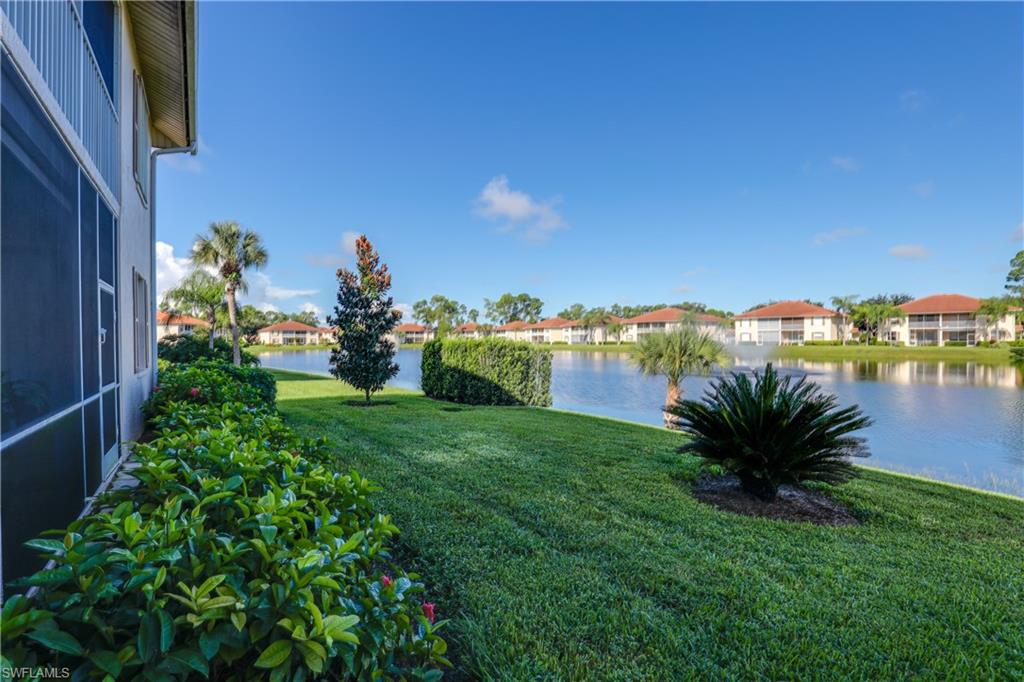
(240,555)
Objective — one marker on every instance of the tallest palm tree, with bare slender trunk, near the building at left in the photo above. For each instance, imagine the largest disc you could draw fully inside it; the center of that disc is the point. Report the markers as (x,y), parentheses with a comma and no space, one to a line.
(233,251)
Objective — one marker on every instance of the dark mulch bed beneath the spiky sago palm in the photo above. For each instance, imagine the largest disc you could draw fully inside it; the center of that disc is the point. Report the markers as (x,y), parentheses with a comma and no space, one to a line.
(792,504)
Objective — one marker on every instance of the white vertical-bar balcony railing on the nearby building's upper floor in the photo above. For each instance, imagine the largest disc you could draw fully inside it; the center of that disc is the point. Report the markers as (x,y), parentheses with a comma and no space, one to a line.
(53,34)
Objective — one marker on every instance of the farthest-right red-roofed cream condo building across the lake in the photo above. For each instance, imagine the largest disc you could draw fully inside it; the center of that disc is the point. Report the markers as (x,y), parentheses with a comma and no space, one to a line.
(942,319)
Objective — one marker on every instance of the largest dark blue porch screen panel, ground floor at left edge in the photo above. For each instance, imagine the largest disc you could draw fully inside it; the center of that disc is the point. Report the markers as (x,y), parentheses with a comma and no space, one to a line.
(39,267)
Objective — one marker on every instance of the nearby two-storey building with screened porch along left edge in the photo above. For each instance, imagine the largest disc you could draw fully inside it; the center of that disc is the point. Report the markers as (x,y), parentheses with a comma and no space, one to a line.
(92,94)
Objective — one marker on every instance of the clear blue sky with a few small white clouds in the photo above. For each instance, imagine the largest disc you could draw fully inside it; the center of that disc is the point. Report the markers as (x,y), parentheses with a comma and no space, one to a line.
(634,154)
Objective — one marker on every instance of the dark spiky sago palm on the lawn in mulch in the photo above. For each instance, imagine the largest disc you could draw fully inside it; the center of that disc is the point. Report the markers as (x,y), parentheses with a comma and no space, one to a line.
(772,432)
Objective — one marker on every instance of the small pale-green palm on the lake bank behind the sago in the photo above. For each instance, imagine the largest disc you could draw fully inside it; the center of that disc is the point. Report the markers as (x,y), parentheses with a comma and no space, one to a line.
(676,355)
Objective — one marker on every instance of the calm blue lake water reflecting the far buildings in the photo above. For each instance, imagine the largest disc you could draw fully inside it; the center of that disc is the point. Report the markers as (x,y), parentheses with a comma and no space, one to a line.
(962,423)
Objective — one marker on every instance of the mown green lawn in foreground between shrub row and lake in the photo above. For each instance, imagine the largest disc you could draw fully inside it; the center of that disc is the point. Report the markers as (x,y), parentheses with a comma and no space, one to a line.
(570,547)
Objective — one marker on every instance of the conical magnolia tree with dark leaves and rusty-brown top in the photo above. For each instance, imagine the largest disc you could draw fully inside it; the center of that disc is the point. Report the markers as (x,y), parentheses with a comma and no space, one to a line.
(365,318)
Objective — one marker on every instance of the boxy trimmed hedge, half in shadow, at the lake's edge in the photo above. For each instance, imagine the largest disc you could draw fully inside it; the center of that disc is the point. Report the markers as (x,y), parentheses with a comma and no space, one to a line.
(487,372)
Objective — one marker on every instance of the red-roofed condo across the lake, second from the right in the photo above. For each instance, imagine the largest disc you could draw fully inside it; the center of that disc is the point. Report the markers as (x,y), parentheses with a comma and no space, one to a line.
(788,323)
